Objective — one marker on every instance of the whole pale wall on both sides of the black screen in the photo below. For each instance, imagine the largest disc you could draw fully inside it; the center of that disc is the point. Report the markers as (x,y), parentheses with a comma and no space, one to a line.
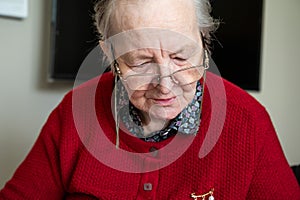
(26,99)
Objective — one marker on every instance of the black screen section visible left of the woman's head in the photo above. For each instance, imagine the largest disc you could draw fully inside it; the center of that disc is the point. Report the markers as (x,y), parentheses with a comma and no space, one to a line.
(74,36)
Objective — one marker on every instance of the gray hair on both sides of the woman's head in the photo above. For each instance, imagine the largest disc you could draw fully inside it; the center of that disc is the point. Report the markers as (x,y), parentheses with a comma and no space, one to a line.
(104,8)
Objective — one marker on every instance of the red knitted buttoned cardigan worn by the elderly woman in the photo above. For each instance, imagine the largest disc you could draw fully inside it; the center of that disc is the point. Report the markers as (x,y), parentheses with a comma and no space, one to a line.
(246,161)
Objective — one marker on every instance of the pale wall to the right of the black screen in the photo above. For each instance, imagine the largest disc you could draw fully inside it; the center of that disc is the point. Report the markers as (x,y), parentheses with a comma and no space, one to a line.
(280,82)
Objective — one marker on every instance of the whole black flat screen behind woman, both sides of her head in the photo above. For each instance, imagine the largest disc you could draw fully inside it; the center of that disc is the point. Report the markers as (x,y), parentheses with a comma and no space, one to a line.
(236,47)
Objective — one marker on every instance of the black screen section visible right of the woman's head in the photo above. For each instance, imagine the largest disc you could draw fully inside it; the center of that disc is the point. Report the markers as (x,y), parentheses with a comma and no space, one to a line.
(237,45)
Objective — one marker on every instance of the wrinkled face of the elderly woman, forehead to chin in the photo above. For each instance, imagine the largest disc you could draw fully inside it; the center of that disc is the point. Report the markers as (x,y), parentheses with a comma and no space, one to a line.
(161,38)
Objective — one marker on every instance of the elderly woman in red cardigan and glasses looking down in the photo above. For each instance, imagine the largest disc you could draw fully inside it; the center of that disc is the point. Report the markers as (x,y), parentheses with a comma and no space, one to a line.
(158,126)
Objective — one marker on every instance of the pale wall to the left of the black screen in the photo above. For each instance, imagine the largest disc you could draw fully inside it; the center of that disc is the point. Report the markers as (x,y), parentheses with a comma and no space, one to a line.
(25,97)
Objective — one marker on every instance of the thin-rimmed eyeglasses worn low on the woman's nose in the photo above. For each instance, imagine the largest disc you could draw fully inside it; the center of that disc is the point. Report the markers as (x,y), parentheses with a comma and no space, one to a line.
(144,81)
